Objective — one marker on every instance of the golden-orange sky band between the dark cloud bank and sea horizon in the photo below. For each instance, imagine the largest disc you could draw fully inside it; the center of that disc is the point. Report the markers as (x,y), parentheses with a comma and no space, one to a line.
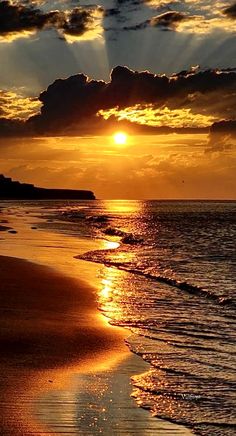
(163,166)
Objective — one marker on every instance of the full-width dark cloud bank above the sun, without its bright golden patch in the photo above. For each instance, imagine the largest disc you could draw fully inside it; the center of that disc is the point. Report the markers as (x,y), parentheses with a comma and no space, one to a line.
(70,106)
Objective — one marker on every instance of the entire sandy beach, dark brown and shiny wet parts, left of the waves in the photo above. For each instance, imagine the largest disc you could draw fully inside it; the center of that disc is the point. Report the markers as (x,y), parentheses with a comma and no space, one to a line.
(64,369)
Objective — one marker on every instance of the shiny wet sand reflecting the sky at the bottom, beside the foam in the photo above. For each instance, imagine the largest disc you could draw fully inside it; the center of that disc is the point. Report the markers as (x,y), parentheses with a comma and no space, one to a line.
(100,403)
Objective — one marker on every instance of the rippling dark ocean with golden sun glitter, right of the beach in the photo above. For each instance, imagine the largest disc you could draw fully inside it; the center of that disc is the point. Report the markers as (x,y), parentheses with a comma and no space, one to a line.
(169,278)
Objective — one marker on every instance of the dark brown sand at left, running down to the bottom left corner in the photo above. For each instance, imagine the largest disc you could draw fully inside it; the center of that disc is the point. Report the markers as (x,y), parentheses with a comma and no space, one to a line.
(48,323)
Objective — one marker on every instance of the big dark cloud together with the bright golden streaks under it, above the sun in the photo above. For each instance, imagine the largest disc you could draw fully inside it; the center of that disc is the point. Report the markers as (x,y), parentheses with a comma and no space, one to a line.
(188,99)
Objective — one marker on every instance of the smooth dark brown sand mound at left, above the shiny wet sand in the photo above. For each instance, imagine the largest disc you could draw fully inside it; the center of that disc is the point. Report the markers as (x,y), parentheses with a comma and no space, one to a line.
(46,316)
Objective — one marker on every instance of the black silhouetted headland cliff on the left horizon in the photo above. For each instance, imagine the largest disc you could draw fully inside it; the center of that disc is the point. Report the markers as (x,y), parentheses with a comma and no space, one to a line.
(13,190)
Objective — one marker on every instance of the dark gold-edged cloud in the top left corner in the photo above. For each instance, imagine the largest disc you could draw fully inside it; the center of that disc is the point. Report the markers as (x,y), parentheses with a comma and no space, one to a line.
(18,20)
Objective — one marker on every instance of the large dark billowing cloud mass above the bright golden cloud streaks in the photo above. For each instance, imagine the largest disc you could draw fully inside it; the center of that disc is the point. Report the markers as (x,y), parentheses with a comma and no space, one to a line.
(77,98)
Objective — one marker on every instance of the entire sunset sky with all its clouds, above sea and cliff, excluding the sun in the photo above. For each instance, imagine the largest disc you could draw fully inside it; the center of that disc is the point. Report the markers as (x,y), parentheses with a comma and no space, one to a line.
(163,72)
